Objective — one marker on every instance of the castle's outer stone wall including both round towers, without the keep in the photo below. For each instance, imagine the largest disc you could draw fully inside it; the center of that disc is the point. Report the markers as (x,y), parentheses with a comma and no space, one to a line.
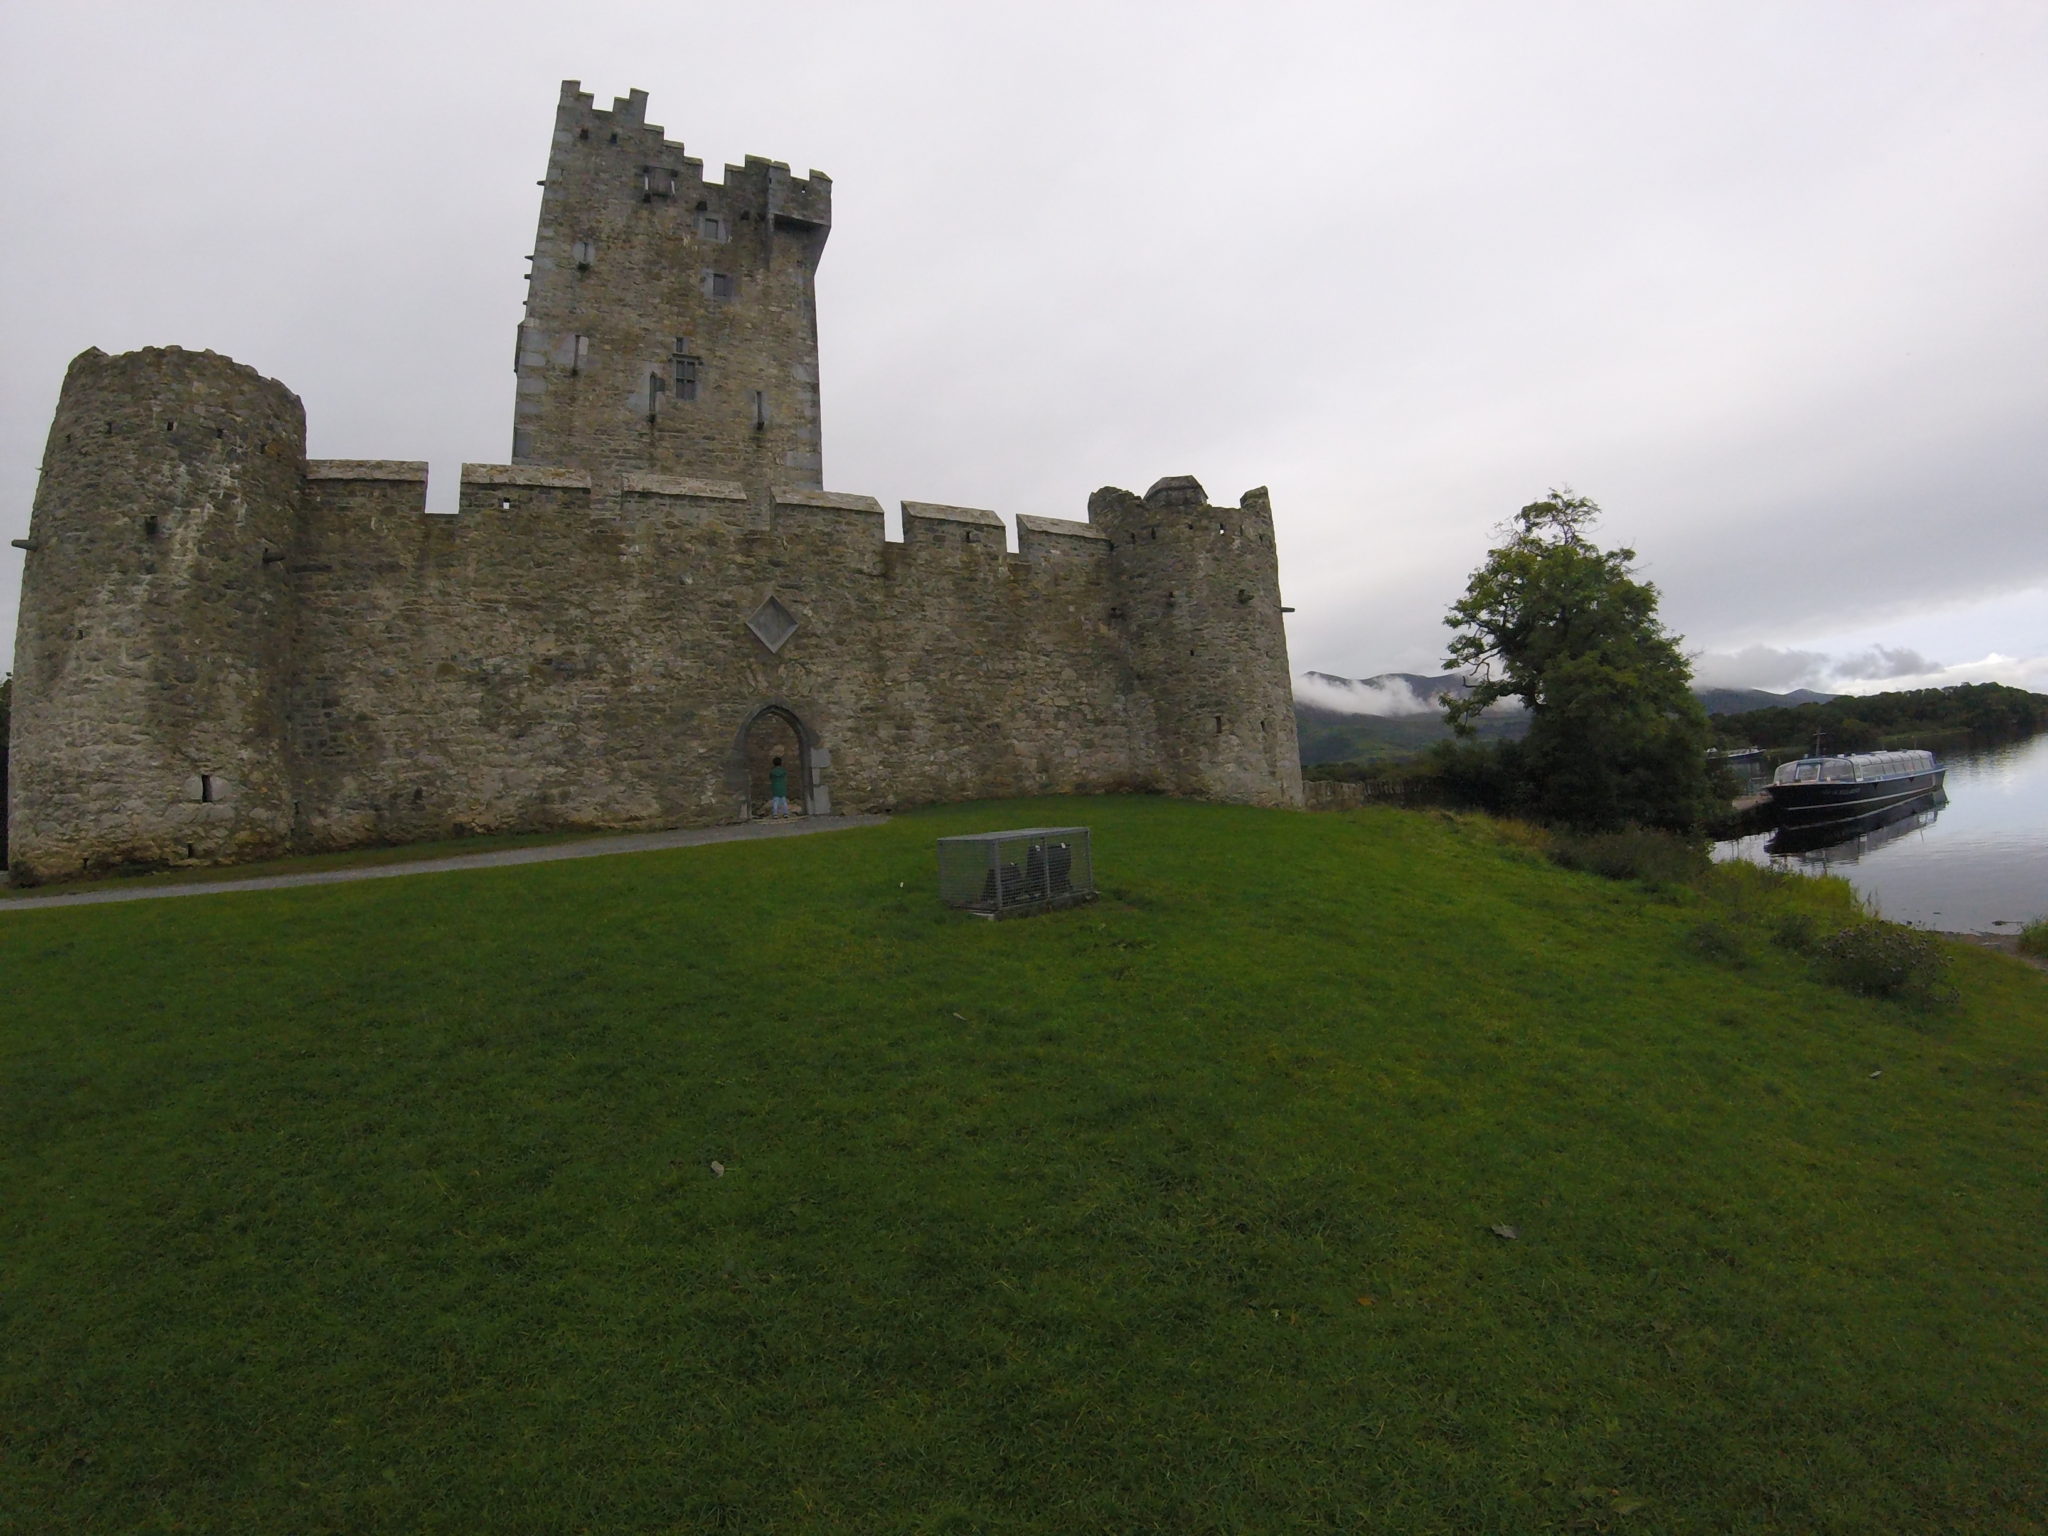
(347,669)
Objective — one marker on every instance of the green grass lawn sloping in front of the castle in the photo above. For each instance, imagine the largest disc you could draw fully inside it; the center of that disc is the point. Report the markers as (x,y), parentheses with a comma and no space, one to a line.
(392,1205)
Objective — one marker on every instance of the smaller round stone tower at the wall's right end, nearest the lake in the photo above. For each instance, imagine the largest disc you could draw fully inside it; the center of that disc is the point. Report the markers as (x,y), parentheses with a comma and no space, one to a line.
(1199,607)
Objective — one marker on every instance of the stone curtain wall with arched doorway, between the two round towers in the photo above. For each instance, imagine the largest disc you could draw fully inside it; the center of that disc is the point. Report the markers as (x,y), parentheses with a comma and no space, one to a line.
(534,663)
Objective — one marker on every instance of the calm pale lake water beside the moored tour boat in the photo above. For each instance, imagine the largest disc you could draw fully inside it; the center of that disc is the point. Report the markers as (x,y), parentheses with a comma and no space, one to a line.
(1975,865)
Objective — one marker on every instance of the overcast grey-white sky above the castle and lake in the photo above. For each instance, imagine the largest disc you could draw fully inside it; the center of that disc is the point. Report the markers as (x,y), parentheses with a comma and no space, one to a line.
(1768,282)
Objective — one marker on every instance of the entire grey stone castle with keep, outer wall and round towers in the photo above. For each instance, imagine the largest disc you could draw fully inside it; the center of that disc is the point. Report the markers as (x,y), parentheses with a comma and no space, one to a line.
(230,650)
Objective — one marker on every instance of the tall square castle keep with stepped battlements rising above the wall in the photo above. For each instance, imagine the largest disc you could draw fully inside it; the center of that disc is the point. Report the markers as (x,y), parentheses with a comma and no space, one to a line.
(671,323)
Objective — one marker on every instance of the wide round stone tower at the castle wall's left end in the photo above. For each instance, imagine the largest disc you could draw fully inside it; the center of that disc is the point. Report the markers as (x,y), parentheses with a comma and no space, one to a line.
(155,620)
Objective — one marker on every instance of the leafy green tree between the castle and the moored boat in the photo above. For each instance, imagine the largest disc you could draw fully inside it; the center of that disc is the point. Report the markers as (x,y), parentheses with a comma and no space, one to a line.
(1617,736)
